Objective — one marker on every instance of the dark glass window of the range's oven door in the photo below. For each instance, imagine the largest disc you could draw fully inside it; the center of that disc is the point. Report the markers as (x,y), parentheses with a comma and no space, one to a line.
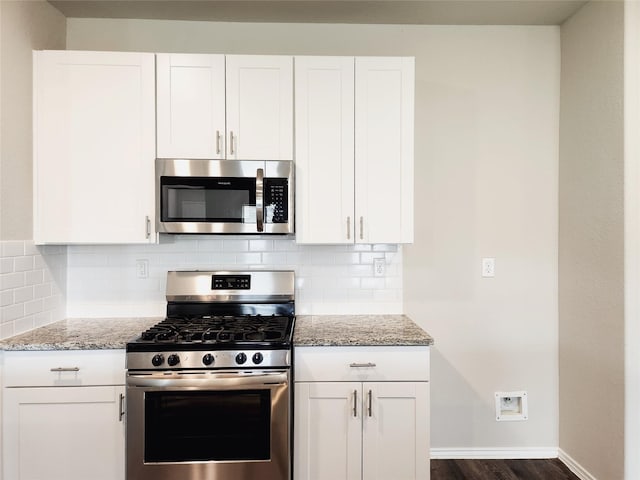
(207,425)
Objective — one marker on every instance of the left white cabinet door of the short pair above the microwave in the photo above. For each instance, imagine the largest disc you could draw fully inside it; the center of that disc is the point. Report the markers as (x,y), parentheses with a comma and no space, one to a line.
(190,103)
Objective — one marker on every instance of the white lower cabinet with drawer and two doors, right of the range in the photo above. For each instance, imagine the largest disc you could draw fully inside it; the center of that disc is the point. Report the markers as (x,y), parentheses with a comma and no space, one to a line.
(360,430)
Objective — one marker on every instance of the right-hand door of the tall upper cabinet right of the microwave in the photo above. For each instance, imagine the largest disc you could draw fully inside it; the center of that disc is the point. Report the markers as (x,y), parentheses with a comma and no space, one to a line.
(384,149)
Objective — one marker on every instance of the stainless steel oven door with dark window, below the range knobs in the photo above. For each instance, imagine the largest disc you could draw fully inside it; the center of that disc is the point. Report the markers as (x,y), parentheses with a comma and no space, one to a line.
(195,425)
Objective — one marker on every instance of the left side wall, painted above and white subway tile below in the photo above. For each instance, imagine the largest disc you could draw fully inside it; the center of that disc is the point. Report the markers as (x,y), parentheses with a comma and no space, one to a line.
(32,281)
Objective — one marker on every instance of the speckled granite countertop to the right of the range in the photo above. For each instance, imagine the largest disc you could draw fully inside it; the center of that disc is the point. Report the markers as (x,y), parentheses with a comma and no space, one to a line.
(356,330)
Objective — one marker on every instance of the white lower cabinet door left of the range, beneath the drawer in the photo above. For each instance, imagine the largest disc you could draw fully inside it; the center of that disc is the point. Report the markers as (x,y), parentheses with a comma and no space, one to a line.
(63,433)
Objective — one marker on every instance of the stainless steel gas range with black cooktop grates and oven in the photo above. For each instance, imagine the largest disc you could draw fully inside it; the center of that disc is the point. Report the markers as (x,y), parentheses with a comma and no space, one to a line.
(208,388)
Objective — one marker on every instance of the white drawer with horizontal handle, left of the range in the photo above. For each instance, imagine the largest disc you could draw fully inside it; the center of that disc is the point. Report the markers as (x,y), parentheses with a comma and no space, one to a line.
(64,368)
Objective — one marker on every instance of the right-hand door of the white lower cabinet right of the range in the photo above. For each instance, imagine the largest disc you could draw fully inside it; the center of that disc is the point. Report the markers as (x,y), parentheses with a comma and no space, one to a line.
(396,431)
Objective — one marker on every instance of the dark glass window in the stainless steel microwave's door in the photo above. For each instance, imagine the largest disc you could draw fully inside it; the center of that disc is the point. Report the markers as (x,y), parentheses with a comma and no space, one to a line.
(204,199)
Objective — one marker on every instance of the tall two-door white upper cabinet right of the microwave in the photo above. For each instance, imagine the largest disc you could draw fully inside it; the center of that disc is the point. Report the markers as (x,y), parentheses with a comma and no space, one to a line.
(354,149)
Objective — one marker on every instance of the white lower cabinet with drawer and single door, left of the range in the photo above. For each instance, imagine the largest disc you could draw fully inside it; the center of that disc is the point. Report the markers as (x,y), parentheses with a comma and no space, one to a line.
(62,428)
